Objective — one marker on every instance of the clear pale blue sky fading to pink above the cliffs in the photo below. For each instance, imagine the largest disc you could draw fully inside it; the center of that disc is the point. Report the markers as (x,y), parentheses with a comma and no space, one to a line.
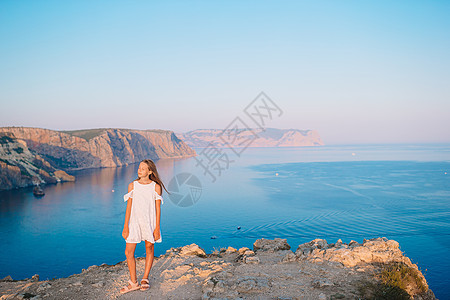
(356,71)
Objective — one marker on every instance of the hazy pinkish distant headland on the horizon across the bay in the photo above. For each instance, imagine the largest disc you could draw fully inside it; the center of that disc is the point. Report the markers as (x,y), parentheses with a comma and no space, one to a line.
(270,137)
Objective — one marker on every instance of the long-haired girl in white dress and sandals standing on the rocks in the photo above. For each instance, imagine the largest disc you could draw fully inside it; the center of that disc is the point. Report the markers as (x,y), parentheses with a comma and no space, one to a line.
(142,220)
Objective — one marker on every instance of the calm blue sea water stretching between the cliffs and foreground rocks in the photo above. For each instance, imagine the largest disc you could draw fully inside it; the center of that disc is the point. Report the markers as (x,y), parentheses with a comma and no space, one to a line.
(401,192)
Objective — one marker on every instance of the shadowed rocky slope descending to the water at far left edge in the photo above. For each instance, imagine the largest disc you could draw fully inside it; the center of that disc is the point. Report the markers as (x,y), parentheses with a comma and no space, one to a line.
(19,167)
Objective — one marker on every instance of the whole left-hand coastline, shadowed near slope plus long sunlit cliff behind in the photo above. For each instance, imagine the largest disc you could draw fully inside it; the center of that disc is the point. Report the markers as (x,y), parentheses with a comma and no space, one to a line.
(31,156)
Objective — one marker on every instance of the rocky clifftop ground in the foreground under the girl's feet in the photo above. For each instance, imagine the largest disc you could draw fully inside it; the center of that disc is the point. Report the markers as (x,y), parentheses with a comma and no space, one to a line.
(316,270)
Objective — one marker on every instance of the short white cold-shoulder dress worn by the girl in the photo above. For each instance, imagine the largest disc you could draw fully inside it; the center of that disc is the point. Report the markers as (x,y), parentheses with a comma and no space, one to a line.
(142,221)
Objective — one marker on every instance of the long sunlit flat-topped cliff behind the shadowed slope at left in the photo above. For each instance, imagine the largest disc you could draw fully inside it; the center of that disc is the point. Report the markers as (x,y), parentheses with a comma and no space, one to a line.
(95,148)
